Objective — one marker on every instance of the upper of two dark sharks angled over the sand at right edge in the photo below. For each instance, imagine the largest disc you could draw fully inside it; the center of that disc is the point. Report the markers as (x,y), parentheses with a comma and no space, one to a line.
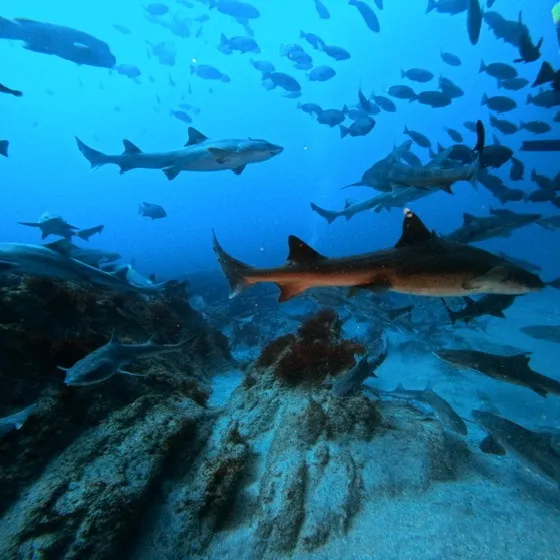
(511,369)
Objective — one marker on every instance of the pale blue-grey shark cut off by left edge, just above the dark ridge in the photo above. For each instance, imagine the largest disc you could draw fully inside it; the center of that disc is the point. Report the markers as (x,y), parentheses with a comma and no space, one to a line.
(55,261)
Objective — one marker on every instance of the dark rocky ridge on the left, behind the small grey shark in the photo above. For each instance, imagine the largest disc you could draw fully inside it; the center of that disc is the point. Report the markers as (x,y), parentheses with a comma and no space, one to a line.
(85,464)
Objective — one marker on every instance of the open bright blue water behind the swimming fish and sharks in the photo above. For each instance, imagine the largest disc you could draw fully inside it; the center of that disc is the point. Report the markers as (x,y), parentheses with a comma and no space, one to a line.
(253,213)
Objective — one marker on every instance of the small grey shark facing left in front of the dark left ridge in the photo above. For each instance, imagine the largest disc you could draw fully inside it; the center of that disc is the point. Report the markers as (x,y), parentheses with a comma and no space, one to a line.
(109,359)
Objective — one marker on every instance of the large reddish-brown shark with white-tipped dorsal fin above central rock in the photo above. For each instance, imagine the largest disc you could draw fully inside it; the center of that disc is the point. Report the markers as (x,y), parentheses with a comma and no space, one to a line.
(421,263)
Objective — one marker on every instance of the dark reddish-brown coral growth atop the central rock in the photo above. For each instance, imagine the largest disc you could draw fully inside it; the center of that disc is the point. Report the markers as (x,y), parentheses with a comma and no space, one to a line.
(315,352)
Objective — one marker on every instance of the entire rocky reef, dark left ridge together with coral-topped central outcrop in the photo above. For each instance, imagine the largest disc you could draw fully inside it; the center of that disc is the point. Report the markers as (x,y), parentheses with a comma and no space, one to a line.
(143,469)
